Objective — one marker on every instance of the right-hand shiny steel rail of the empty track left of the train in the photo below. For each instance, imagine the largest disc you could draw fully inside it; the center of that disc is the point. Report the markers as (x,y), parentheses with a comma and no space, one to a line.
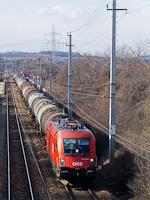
(22,146)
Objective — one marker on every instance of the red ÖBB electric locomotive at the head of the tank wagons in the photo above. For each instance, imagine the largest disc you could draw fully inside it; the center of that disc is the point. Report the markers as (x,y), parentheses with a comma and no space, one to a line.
(71,148)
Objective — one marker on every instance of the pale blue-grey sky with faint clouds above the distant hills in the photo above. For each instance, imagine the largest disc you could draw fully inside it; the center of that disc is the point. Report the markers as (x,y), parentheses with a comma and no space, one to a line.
(24,23)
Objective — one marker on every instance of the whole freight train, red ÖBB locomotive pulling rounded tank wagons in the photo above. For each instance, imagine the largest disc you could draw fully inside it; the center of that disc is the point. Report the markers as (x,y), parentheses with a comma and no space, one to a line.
(71,146)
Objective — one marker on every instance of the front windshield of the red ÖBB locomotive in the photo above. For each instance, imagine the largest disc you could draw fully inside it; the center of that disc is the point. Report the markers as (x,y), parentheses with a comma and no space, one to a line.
(77,147)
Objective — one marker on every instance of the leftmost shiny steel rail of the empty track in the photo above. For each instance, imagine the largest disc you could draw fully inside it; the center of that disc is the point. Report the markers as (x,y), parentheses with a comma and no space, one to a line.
(8,147)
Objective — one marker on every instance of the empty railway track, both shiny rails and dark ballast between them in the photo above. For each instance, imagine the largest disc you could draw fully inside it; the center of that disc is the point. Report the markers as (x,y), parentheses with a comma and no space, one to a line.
(19,181)
